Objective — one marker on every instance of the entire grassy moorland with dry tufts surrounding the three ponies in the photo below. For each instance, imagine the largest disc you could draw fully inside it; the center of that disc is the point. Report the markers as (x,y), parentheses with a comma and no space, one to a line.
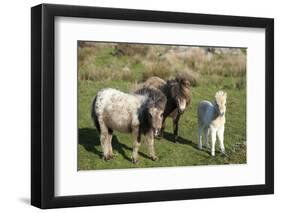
(122,66)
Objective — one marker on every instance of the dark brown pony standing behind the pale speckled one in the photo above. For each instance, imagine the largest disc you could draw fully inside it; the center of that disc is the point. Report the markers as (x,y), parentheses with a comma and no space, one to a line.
(178,94)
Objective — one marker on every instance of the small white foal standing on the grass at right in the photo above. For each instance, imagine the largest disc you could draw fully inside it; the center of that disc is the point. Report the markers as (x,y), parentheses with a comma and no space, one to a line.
(211,117)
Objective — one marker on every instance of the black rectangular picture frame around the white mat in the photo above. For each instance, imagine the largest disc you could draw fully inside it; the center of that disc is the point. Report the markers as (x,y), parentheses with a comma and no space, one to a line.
(43,102)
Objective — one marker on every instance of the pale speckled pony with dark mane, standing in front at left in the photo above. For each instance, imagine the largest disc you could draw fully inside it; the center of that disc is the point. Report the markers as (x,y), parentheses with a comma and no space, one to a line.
(139,113)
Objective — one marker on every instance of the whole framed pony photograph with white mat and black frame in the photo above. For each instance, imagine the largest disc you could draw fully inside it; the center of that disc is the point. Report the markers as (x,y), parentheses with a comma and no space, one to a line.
(139,106)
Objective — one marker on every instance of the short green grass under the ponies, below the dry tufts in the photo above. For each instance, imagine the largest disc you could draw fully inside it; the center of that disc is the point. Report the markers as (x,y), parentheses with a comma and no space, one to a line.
(183,153)
